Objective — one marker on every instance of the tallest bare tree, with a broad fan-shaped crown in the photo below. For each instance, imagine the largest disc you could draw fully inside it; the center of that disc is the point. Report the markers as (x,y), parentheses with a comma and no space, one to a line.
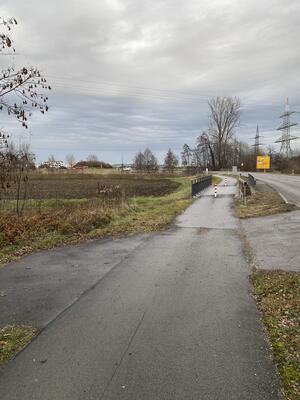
(224,117)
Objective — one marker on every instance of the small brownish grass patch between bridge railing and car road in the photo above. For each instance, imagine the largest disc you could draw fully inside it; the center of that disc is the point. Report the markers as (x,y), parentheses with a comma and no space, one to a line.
(262,204)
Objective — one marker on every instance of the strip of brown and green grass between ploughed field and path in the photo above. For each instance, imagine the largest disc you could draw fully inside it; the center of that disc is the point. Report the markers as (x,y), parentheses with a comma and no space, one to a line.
(73,221)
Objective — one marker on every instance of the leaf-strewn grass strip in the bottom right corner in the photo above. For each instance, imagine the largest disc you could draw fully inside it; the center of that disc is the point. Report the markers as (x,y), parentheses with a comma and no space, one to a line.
(278,298)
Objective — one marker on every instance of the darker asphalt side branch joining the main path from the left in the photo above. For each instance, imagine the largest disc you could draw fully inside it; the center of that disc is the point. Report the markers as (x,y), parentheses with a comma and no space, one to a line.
(39,287)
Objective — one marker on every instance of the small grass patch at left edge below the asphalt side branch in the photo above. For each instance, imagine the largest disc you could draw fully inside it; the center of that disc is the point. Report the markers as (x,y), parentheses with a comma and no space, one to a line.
(13,339)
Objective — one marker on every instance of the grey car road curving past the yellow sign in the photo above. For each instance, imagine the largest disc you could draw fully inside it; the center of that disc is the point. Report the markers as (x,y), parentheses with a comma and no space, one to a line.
(287,185)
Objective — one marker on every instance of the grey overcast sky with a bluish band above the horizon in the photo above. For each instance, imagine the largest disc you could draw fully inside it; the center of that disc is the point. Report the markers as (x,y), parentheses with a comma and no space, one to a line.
(127,74)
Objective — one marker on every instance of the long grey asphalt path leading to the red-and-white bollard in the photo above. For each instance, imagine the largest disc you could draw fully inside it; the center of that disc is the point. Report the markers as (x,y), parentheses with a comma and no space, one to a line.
(173,320)
